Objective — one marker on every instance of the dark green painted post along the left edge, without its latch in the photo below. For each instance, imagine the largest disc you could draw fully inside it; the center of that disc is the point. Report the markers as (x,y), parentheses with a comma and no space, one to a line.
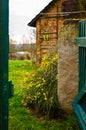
(4,43)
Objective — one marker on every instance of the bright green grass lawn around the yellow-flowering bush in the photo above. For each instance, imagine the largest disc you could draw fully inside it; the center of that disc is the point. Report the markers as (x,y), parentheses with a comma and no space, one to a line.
(19,117)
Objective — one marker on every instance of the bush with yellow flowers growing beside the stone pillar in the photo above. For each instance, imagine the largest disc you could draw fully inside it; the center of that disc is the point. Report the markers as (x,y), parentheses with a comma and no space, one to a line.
(41,86)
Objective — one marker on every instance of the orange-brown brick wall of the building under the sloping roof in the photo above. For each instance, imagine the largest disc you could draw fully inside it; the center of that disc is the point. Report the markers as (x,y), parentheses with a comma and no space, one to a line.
(46,26)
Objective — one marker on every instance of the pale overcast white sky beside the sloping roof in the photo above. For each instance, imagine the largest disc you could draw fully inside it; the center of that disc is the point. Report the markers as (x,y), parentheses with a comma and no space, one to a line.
(21,12)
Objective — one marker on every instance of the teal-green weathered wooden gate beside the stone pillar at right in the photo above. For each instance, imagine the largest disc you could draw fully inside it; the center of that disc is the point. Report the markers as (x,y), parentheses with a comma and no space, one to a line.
(79,104)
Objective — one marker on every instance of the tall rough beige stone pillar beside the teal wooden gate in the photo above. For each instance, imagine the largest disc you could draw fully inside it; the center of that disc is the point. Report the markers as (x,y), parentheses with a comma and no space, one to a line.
(67,65)
